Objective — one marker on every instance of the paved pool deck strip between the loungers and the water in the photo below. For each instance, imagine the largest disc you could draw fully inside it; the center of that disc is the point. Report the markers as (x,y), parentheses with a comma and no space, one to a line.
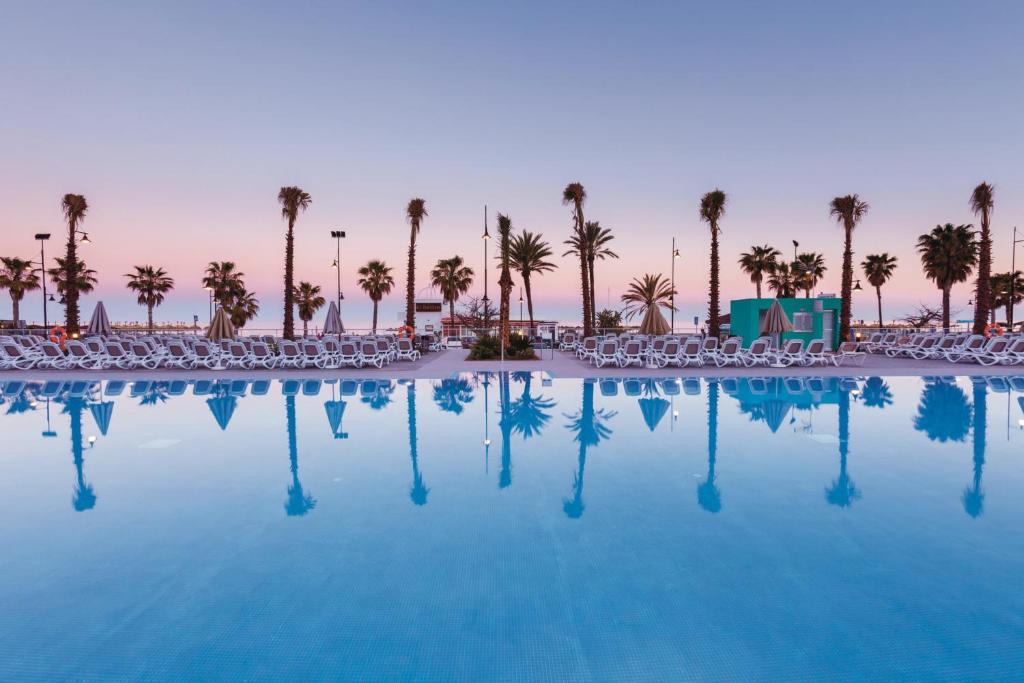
(448,364)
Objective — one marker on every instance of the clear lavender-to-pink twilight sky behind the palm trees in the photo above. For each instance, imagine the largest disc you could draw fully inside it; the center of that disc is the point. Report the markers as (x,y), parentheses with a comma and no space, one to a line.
(181,121)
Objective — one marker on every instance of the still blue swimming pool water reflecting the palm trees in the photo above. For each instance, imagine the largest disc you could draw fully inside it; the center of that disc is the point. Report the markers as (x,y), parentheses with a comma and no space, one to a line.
(505,528)
